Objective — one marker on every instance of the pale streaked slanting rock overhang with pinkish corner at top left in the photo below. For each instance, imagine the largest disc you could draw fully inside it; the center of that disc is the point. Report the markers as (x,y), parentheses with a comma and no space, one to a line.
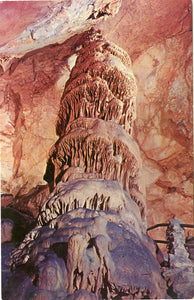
(56,22)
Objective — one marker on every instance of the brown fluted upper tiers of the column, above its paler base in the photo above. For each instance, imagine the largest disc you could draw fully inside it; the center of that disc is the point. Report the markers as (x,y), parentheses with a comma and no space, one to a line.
(95,122)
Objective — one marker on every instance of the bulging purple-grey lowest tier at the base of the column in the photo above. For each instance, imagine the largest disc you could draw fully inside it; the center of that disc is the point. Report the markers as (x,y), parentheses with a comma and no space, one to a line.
(80,250)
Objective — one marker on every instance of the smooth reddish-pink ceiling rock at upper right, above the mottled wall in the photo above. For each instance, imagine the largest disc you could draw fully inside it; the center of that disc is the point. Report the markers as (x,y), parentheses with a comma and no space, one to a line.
(139,25)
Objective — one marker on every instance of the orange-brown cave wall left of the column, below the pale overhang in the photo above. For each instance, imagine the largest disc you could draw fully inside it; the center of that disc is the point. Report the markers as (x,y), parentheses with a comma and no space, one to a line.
(27,130)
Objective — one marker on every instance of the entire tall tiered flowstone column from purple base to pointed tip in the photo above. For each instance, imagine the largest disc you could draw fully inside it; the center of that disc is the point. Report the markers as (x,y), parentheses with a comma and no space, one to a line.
(90,241)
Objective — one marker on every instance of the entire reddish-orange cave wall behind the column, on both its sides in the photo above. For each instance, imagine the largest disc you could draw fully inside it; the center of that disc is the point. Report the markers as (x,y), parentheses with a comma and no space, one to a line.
(158,38)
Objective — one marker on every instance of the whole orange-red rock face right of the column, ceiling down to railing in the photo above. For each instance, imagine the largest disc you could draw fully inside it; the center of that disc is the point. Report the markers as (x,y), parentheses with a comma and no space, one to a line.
(158,38)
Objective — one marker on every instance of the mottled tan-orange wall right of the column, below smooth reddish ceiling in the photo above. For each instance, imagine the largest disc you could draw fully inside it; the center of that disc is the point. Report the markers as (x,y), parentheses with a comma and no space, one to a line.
(163,128)
